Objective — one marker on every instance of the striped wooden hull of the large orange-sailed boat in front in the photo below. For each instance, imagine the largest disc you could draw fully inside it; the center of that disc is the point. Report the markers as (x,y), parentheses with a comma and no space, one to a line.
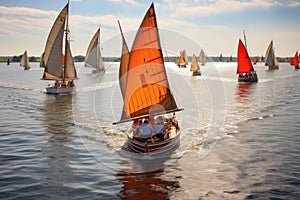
(158,147)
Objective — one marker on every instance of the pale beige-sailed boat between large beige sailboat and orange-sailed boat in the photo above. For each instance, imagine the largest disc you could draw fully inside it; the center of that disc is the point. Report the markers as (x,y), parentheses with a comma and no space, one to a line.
(93,58)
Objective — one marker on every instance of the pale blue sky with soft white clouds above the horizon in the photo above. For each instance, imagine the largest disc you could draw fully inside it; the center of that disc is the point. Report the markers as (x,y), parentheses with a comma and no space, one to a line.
(214,25)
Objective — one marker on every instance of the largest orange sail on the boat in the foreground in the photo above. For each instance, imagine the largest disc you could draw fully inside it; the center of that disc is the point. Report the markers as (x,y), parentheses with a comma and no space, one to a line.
(147,84)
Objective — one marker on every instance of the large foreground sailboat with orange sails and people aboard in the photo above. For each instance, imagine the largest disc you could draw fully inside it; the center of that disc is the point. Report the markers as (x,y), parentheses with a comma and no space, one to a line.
(146,92)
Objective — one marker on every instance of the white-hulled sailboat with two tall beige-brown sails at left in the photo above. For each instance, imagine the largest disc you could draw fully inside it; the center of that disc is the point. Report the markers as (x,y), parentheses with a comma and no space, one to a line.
(59,67)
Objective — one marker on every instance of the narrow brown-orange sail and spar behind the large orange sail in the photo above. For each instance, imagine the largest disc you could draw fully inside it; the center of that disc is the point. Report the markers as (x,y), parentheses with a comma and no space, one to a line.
(124,63)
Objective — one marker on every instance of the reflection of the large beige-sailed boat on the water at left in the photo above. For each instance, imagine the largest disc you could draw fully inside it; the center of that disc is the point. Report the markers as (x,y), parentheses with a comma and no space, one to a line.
(58,126)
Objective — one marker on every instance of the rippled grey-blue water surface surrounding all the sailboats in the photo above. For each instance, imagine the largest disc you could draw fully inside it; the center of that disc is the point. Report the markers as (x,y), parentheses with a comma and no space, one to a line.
(238,141)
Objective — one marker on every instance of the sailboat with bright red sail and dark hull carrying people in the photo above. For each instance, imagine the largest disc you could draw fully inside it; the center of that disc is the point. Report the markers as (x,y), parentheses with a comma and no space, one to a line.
(245,68)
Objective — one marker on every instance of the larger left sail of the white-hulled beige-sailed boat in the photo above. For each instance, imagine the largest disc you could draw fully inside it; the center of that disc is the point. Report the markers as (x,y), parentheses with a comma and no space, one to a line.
(51,59)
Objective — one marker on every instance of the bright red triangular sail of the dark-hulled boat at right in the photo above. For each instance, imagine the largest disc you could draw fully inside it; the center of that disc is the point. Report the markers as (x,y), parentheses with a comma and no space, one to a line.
(244,62)
